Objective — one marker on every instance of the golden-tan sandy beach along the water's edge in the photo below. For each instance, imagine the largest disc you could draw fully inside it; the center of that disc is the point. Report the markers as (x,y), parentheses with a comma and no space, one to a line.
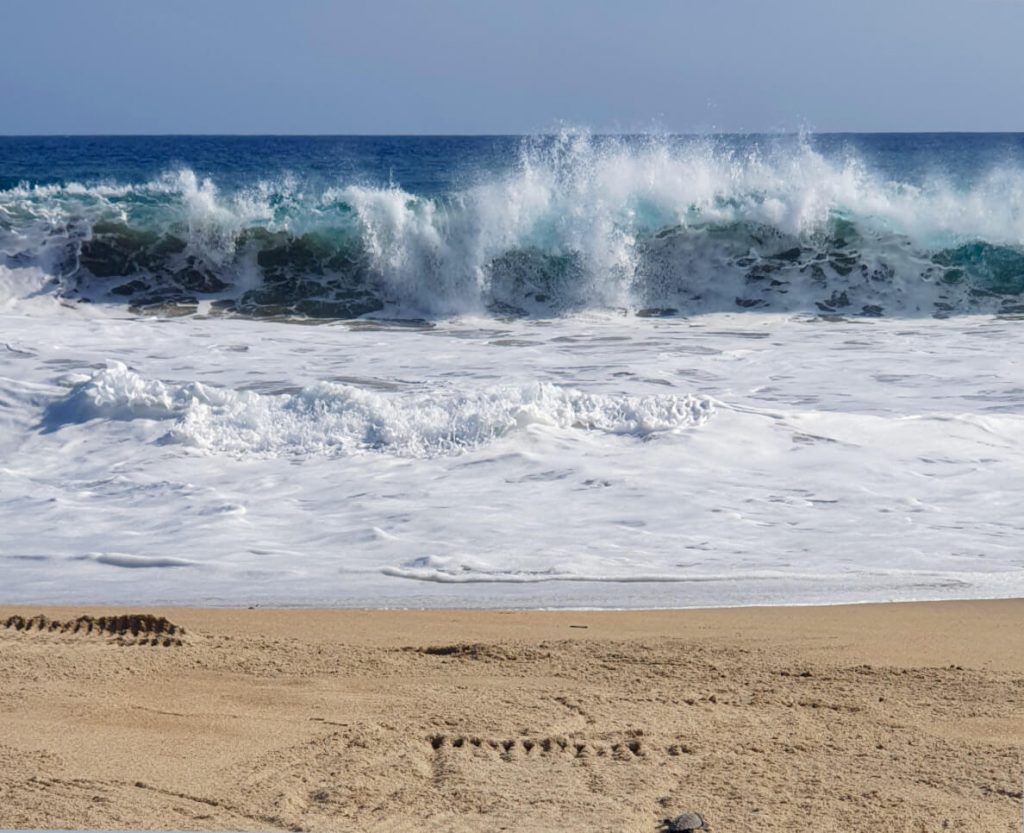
(895,718)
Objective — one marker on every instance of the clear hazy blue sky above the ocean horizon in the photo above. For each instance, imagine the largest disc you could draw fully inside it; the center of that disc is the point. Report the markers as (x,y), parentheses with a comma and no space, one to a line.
(449,67)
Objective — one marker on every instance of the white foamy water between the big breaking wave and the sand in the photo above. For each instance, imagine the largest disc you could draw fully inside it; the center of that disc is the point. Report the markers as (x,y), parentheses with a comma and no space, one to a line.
(532,464)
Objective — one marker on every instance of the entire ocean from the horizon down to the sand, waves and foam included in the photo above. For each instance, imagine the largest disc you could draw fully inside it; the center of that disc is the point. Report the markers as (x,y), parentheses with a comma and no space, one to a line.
(558,371)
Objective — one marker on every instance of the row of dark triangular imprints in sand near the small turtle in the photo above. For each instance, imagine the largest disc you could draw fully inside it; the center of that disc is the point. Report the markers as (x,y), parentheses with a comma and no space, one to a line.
(537,748)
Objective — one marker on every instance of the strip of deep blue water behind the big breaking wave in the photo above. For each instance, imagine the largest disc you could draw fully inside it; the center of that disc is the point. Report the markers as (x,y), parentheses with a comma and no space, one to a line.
(432,165)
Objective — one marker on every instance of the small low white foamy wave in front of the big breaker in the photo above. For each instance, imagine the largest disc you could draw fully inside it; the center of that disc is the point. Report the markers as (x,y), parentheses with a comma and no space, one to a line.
(343,420)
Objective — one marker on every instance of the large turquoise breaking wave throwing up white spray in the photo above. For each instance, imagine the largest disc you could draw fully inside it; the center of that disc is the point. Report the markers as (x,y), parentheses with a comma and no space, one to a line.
(577,223)
